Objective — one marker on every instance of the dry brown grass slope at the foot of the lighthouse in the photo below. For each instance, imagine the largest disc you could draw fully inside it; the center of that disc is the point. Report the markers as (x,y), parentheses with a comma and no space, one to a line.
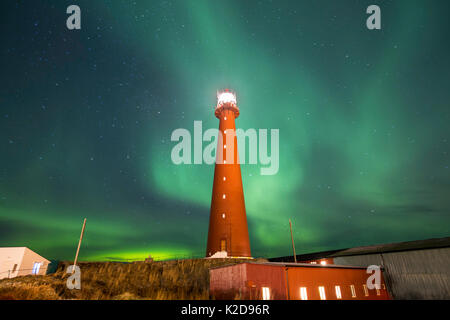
(166,280)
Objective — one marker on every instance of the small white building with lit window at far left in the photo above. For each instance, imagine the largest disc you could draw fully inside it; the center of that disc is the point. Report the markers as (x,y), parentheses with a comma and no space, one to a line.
(21,261)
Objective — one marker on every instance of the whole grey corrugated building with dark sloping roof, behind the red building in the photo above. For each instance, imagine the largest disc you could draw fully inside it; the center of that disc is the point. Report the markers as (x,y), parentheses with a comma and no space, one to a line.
(413,270)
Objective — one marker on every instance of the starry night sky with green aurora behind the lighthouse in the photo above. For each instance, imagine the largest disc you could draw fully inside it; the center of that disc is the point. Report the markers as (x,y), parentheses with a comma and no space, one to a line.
(86,118)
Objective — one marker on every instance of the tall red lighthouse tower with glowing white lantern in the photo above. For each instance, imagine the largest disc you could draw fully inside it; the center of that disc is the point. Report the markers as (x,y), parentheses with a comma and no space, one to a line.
(228,230)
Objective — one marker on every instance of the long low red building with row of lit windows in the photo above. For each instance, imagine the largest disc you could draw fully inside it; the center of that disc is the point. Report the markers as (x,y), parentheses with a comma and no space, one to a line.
(291,281)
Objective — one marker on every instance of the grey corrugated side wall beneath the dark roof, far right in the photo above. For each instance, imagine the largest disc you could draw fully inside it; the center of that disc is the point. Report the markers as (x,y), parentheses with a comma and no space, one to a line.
(415,274)
